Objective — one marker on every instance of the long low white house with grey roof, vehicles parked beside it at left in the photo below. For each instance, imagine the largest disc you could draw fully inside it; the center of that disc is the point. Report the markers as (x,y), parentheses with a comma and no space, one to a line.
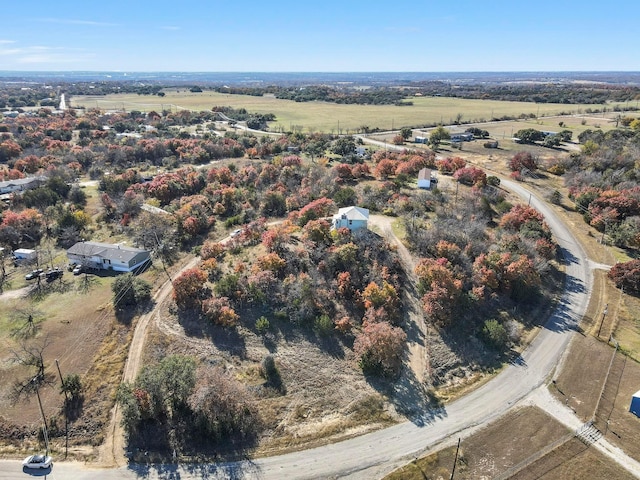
(106,256)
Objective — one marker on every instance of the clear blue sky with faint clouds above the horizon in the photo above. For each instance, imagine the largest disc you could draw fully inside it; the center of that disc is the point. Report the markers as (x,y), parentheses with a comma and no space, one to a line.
(320,36)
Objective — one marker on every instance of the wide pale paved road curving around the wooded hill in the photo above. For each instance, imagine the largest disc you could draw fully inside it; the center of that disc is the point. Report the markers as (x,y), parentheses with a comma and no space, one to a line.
(372,455)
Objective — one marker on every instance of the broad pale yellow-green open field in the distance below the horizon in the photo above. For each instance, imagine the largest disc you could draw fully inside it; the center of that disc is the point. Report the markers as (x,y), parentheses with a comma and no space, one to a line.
(330,117)
